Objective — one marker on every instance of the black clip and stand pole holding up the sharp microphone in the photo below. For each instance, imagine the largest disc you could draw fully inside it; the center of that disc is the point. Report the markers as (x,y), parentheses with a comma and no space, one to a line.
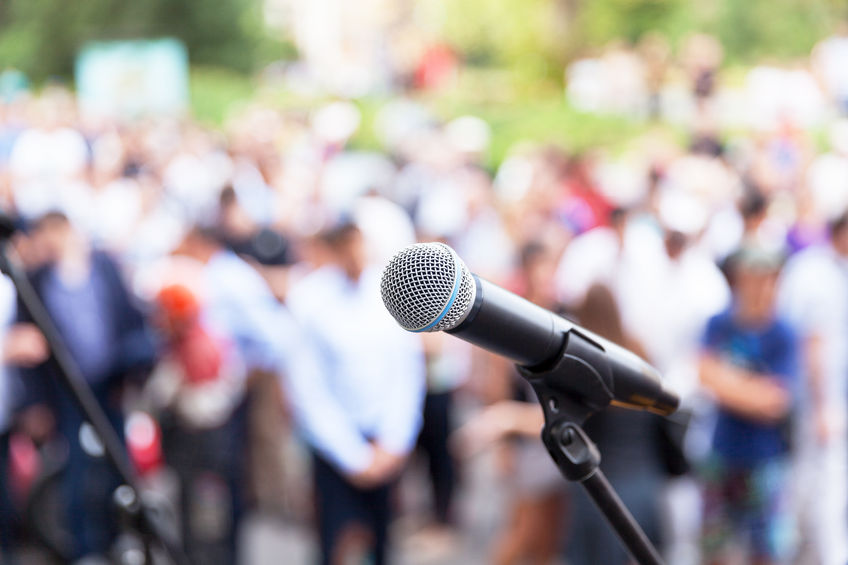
(570,391)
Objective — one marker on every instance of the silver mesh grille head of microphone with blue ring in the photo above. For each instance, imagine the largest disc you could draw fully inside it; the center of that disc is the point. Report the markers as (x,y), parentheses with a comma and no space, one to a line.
(418,283)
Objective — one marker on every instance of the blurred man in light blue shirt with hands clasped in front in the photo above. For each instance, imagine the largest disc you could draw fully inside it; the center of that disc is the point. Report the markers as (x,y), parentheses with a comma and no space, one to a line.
(362,412)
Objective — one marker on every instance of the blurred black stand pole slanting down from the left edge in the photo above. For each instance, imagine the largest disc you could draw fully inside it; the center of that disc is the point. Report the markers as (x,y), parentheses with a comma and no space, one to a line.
(72,379)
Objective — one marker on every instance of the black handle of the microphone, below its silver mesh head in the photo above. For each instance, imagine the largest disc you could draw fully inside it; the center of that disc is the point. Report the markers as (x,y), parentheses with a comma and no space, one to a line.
(535,338)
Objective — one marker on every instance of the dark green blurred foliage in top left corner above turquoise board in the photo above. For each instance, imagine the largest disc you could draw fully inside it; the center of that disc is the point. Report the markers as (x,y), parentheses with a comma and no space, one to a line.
(42,37)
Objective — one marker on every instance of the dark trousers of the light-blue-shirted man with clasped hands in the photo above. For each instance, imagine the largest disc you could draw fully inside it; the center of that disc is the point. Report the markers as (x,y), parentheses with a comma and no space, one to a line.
(341,505)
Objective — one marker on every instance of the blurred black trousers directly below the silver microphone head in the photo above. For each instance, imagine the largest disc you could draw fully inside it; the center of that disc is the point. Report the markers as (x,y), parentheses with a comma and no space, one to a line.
(433,440)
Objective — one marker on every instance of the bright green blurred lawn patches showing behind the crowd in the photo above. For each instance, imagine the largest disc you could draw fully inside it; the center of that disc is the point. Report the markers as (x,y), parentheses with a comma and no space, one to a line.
(515,113)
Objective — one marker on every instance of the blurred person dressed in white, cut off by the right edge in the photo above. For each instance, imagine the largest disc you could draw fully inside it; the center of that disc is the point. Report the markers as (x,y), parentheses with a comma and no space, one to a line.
(814,296)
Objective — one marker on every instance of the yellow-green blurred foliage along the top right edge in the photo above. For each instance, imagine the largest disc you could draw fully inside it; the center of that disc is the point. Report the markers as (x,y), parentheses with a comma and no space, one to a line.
(539,36)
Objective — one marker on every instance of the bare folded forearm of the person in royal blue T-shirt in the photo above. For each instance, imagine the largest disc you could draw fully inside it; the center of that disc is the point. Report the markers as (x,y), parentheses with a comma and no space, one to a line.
(751,395)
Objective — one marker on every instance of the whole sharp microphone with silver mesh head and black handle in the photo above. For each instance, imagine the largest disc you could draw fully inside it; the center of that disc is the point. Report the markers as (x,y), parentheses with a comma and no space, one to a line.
(426,287)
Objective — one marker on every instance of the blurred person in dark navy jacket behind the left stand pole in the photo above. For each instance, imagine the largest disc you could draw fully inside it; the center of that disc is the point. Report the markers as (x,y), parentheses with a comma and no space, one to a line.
(107,338)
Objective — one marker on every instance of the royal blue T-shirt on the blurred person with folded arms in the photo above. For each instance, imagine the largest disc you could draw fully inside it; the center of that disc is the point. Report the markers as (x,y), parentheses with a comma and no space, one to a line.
(770,350)
